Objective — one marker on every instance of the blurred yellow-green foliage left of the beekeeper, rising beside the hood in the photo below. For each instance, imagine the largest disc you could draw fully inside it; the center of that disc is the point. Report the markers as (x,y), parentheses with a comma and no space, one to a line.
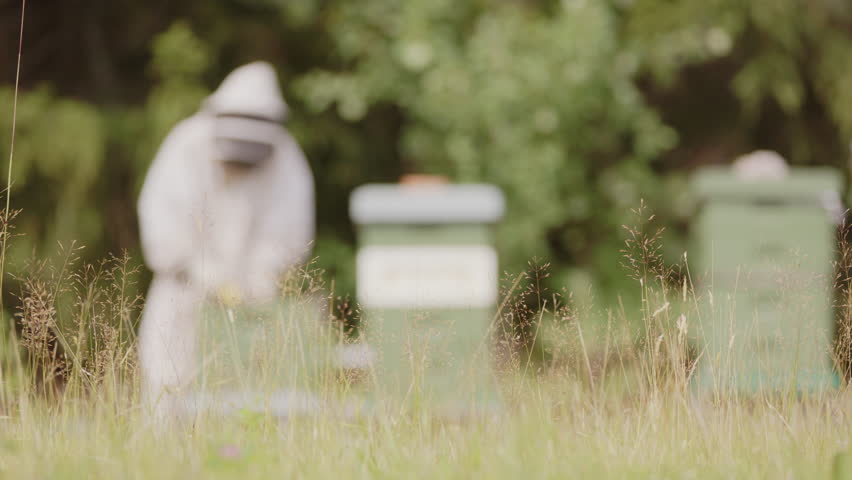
(66,152)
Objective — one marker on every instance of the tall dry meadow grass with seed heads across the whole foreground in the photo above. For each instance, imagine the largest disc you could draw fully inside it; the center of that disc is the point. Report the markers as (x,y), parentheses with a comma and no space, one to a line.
(607,393)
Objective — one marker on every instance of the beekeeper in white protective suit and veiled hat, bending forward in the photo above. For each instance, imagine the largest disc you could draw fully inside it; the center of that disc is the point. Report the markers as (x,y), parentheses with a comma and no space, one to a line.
(227,203)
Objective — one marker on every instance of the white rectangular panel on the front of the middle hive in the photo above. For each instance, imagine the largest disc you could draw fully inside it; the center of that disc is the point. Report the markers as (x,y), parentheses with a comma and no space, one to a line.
(445,276)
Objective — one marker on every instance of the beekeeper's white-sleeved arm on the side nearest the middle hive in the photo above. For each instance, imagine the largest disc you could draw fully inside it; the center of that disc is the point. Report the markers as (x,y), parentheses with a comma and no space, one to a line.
(286,231)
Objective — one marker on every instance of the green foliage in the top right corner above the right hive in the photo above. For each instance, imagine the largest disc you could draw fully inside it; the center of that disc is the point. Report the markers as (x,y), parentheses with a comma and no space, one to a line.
(782,52)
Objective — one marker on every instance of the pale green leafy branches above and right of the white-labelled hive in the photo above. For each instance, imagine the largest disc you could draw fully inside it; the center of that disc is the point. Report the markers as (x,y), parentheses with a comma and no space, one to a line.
(542,105)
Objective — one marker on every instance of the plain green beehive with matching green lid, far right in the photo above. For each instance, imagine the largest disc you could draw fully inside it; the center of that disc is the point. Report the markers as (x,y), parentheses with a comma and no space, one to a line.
(762,260)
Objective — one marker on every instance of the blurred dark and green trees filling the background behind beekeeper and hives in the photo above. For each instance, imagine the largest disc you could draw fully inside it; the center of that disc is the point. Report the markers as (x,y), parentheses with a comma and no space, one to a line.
(577,109)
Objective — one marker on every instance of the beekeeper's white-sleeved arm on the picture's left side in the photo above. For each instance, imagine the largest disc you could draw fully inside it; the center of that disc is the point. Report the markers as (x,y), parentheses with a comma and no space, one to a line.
(167,227)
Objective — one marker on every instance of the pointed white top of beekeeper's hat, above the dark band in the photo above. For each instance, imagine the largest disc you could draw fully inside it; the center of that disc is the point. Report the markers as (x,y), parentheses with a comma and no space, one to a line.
(250,90)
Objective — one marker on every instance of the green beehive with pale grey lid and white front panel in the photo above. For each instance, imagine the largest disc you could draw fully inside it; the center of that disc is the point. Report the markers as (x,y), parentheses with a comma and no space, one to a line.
(427,283)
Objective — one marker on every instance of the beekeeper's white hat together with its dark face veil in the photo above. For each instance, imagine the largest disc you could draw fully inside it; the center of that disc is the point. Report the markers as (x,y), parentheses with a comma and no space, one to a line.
(248,109)
